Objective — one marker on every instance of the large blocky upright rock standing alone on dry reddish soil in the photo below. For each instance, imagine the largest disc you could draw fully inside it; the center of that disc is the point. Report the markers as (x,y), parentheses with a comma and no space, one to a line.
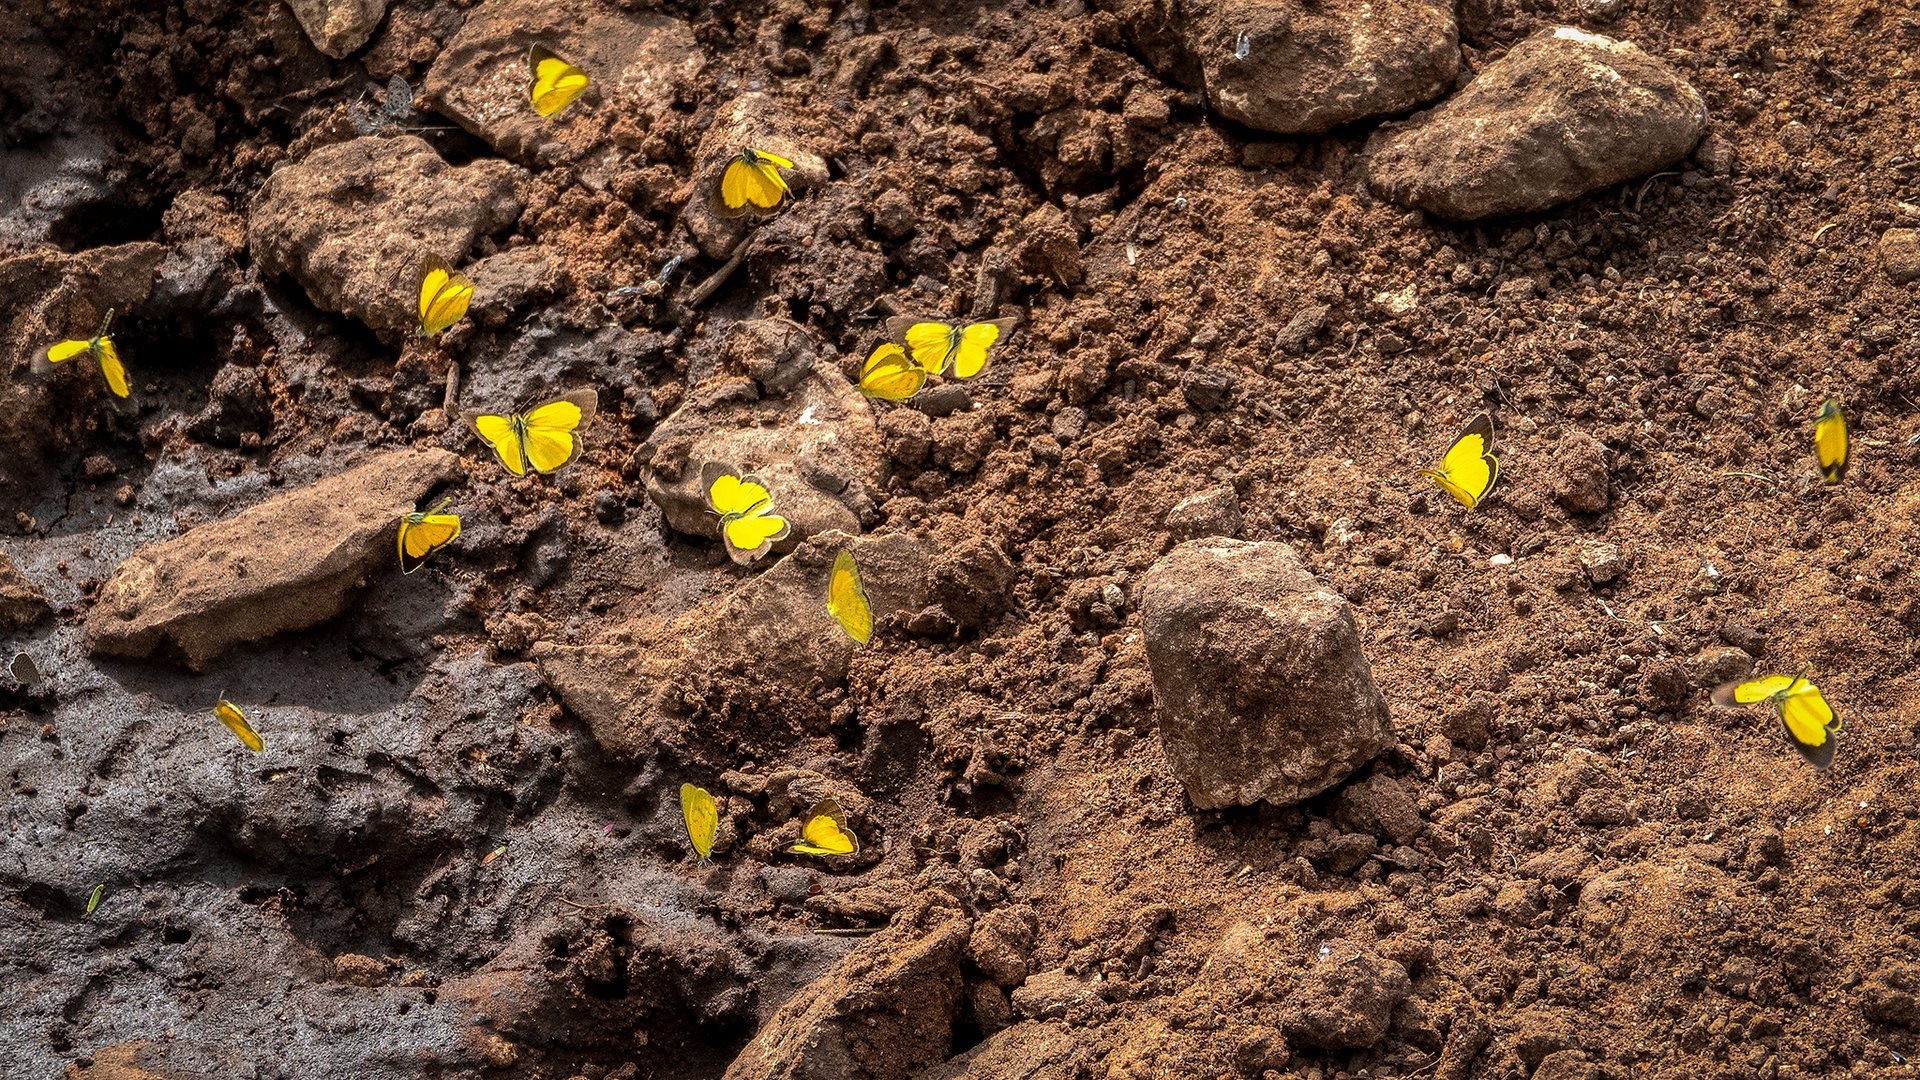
(1259,677)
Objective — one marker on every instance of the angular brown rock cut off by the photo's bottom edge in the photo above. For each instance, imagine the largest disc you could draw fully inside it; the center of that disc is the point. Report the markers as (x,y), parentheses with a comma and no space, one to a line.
(884,1014)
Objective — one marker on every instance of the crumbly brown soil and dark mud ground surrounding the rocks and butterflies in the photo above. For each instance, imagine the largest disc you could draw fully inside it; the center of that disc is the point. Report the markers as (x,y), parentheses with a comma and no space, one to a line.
(1608,866)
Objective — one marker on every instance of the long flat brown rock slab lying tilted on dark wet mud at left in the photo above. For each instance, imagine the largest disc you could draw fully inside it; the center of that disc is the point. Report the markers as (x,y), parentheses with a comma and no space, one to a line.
(287,564)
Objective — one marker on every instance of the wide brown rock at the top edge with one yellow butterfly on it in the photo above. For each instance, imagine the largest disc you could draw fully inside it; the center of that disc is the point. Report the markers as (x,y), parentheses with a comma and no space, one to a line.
(636,62)
